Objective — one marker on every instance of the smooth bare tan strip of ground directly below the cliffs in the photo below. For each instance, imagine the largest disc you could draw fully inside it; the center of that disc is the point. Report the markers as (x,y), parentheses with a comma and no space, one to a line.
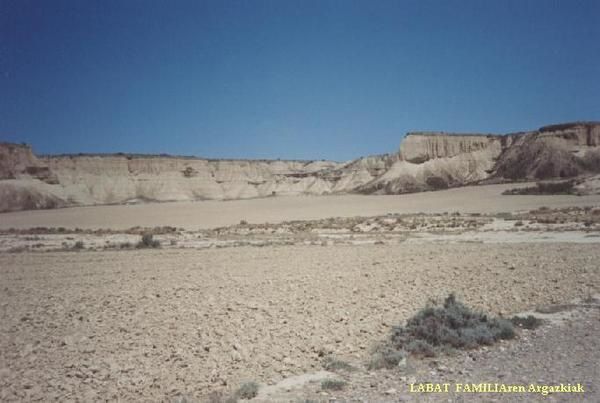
(209,214)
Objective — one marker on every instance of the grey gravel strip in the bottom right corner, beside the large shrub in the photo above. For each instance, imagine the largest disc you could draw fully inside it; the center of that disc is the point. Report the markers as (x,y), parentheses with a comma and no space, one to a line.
(566,352)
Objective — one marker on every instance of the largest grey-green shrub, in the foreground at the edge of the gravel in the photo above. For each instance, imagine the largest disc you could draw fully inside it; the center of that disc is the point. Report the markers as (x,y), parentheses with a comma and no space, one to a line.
(439,328)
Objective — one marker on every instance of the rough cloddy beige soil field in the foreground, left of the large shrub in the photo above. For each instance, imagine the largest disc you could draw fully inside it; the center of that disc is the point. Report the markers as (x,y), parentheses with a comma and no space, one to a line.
(154,325)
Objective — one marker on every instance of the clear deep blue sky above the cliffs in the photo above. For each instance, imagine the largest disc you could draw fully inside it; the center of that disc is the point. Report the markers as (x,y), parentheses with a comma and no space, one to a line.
(289,79)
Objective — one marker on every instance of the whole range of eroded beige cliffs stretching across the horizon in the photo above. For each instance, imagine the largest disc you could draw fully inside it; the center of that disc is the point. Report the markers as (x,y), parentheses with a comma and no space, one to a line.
(425,161)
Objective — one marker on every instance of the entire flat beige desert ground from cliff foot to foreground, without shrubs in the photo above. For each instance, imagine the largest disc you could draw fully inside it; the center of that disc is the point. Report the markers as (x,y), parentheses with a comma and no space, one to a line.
(267,290)
